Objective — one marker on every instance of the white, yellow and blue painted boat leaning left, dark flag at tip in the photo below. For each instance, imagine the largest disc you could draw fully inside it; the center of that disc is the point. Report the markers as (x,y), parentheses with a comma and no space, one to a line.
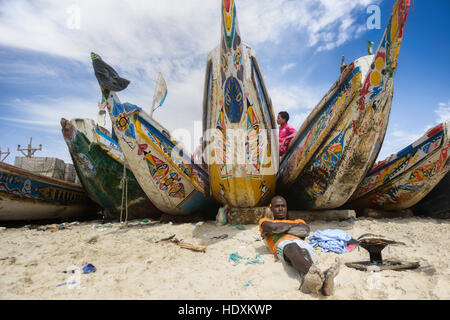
(163,170)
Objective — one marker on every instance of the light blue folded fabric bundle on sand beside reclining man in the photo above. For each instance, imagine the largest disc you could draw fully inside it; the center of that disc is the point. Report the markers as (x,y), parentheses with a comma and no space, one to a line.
(330,240)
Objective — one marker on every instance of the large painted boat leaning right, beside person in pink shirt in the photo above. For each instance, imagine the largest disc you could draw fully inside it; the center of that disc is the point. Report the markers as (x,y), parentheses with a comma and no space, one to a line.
(341,138)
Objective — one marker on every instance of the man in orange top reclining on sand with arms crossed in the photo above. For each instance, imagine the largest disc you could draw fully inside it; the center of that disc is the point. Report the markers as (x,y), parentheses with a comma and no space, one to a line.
(285,238)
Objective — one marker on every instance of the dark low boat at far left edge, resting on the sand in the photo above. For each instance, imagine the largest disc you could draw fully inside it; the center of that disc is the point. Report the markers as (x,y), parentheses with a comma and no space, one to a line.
(25,195)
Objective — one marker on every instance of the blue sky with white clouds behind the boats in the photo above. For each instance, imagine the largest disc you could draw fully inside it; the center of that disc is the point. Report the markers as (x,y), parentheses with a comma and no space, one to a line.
(46,72)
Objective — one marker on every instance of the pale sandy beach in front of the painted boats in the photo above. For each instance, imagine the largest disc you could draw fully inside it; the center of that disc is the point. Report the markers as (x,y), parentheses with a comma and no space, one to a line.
(132,264)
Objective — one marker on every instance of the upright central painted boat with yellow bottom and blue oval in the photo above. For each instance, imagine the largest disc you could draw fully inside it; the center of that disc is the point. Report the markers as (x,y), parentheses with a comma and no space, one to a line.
(239,127)
